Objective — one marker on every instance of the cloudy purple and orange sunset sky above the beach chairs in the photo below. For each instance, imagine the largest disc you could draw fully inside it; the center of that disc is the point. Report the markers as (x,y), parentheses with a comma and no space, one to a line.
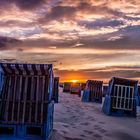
(83,39)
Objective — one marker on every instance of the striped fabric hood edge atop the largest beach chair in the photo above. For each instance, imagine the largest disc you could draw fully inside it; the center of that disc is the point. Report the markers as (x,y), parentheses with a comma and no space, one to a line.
(25,69)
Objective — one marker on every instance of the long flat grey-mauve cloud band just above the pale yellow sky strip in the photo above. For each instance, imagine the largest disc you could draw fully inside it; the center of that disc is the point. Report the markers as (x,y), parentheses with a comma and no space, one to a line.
(112,42)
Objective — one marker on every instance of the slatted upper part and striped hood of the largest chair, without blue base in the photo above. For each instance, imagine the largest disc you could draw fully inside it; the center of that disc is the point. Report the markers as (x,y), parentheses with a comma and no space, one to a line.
(26,91)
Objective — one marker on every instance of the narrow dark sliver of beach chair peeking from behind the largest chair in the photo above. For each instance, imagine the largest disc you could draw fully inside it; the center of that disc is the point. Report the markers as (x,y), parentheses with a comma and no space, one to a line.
(56,89)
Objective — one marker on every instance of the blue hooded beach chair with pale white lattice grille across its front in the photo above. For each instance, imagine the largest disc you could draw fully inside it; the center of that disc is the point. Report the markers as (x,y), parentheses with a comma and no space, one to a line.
(122,97)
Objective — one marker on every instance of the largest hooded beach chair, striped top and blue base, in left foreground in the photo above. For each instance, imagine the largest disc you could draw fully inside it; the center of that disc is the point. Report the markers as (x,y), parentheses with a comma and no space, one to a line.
(26,107)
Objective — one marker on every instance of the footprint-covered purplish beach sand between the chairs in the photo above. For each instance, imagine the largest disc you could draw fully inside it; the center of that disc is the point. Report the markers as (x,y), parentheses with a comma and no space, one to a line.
(75,120)
